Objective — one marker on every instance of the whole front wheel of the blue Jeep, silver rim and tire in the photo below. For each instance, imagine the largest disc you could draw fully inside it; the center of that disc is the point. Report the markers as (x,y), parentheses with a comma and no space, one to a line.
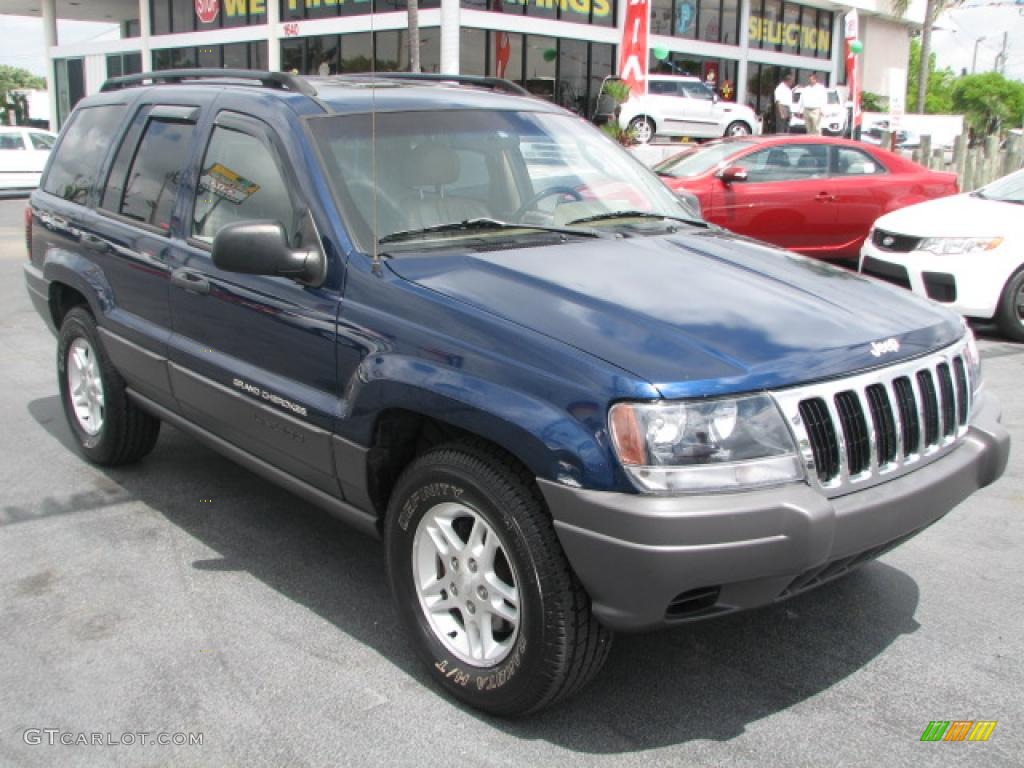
(483,586)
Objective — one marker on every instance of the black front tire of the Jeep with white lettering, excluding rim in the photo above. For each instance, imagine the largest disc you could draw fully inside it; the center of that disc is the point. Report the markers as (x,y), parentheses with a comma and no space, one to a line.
(560,647)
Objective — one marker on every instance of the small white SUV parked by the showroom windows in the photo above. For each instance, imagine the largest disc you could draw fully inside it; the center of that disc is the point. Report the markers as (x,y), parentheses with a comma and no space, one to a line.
(678,106)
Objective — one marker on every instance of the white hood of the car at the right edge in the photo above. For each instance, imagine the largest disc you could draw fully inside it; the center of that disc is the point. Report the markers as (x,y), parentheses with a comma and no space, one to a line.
(956,217)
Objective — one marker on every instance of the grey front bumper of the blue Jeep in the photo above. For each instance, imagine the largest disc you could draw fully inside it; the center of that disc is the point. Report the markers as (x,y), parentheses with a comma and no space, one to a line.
(651,562)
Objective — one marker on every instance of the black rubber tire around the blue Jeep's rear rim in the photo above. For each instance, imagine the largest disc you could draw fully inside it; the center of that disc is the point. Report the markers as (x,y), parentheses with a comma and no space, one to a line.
(126,434)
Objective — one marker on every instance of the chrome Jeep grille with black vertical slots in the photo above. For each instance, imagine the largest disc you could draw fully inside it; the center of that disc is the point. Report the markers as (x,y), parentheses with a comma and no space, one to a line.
(860,432)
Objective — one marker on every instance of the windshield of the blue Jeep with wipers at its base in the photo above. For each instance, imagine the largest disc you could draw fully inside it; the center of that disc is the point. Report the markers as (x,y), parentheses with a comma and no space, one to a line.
(430,169)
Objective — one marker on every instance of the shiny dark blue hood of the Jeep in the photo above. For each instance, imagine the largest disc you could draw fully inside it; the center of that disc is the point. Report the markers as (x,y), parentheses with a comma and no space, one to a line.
(697,314)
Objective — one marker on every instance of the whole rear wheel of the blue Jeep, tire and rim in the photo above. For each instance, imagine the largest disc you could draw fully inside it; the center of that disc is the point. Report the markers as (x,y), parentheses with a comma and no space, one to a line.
(110,429)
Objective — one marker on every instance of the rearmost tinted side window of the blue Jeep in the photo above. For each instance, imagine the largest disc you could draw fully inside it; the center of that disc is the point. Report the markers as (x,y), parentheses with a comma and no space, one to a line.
(73,172)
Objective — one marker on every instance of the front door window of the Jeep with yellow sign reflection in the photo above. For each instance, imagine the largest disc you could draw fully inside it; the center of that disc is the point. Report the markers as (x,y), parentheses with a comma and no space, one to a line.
(240,182)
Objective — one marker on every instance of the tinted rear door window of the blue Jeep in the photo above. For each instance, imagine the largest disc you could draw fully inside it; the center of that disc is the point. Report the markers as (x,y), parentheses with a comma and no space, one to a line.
(148,191)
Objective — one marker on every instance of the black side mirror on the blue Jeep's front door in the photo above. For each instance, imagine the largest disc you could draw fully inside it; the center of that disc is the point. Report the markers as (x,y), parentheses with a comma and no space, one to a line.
(262,248)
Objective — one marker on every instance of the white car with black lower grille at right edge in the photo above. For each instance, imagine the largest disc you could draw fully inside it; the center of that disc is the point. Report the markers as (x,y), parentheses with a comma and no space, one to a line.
(966,252)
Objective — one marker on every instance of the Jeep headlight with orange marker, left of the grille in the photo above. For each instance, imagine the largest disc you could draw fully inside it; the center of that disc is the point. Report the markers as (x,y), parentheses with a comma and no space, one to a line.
(724,445)
